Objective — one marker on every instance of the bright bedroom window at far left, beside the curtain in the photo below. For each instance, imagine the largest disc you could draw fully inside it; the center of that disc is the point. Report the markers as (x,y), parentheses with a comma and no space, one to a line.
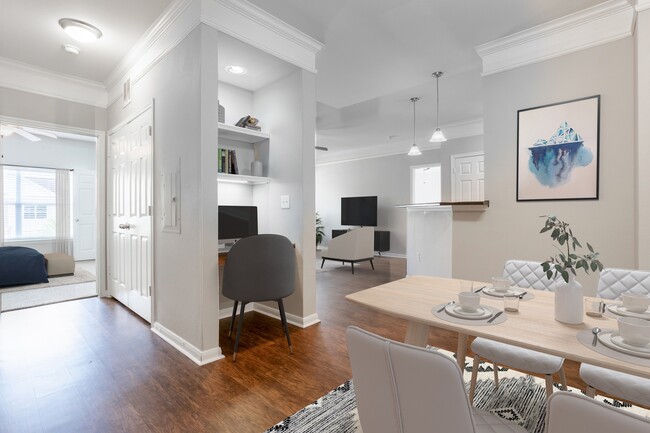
(29,201)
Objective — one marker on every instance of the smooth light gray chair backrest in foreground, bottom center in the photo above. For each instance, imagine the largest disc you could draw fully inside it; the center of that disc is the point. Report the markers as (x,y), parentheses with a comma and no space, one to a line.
(406,389)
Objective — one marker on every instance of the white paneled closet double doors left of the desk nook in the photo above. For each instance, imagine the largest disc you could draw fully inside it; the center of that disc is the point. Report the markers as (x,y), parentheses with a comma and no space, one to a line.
(130,214)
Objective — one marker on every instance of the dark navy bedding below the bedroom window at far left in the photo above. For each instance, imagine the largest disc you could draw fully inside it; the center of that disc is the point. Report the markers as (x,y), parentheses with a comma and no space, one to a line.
(21,265)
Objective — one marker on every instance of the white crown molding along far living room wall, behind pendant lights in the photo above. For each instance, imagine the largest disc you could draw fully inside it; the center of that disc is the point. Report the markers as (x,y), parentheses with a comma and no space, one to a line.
(467,128)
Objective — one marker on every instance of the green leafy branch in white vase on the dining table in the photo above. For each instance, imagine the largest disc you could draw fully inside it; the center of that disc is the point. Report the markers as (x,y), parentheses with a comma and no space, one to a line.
(569,304)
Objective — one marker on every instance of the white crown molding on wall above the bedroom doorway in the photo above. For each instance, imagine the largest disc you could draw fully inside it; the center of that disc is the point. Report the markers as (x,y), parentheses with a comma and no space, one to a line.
(28,78)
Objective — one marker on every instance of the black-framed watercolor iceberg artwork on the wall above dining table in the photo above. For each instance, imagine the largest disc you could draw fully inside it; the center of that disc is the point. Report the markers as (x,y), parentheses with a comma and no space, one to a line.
(558,151)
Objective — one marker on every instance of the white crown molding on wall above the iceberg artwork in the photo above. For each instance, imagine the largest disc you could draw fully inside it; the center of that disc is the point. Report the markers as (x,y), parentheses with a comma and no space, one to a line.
(594,26)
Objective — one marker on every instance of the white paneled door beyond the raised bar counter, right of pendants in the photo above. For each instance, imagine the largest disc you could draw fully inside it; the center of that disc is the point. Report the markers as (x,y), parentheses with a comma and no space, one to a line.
(467,177)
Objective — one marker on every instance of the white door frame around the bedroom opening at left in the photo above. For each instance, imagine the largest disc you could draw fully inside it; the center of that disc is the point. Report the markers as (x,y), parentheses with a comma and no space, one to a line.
(100,187)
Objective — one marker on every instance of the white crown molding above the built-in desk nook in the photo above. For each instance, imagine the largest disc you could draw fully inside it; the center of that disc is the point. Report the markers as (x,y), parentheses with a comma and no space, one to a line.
(253,25)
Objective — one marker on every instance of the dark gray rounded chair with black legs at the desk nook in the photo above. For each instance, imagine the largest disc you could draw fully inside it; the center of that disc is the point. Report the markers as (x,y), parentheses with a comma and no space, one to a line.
(257,269)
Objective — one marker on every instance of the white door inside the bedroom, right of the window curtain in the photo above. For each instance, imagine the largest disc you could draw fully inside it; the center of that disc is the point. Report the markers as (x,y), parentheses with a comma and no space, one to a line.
(84,215)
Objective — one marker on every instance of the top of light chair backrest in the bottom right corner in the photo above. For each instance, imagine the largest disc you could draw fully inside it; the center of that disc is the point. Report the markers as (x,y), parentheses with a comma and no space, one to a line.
(575,413)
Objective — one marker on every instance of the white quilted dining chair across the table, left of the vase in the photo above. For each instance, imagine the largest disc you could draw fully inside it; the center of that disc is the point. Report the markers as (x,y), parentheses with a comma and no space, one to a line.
(529,274)
